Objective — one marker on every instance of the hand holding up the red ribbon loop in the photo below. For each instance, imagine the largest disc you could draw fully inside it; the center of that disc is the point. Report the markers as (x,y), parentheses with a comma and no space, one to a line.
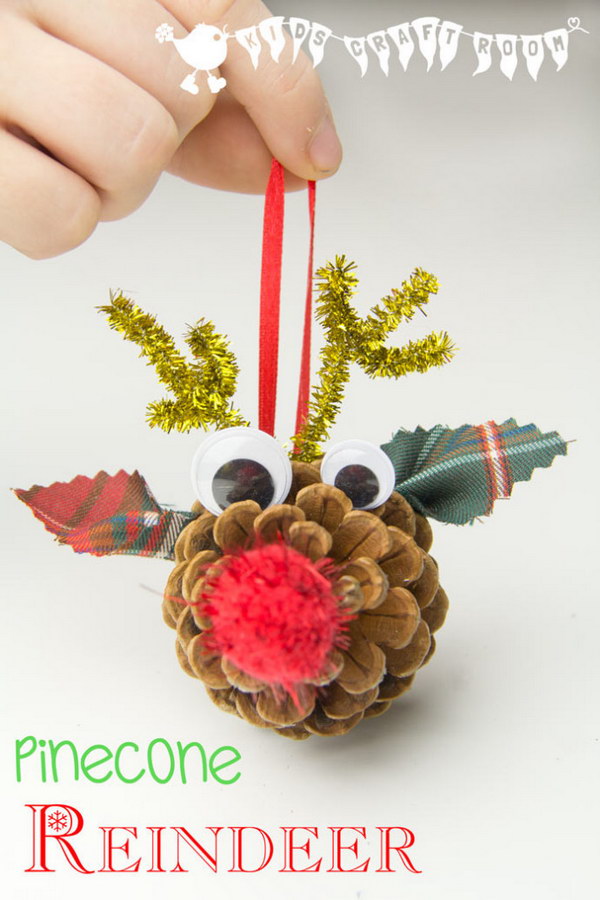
(91,113)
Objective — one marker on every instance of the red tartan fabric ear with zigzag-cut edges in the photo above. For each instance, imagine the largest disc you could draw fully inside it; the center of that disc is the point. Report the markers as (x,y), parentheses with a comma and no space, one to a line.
(107,515)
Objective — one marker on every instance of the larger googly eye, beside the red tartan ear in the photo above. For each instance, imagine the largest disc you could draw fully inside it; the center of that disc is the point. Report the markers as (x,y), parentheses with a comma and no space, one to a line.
(240,464)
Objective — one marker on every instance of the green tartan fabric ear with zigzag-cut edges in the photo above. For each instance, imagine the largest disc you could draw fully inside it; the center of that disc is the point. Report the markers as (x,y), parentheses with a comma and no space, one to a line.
(456,474)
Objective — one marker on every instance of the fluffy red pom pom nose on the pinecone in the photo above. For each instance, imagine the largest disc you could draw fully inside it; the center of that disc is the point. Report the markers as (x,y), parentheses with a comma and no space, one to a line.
(274,615)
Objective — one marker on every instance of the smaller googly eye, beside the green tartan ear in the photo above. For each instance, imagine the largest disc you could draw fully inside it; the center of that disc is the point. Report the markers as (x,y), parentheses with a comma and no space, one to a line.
(361,470)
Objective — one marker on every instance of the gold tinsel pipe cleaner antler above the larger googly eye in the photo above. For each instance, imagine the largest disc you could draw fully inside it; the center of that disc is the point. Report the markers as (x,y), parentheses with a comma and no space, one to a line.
(203,389)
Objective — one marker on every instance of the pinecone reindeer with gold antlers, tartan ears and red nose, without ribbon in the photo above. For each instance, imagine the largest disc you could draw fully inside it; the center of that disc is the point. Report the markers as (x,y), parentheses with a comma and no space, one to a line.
(303,594)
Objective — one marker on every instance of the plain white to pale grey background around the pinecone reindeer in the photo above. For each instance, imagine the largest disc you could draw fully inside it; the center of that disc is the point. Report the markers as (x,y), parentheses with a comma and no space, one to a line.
(492,758)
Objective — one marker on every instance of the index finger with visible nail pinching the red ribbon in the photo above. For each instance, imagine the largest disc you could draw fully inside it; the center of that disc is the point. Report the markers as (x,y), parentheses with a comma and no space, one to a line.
(285,99)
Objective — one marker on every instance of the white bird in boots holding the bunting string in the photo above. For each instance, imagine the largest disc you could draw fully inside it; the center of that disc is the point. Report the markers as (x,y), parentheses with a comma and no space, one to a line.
(204,48)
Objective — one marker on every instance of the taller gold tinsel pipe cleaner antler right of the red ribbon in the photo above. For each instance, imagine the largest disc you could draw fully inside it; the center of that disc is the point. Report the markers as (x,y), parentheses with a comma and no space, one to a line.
(348,338)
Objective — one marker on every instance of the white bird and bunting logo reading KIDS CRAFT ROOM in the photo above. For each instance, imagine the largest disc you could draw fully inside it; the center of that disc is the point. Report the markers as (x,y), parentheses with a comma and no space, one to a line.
(204,49)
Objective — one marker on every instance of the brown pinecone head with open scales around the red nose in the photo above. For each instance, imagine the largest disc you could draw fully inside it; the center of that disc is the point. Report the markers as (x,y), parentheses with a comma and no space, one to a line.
(386,583)
